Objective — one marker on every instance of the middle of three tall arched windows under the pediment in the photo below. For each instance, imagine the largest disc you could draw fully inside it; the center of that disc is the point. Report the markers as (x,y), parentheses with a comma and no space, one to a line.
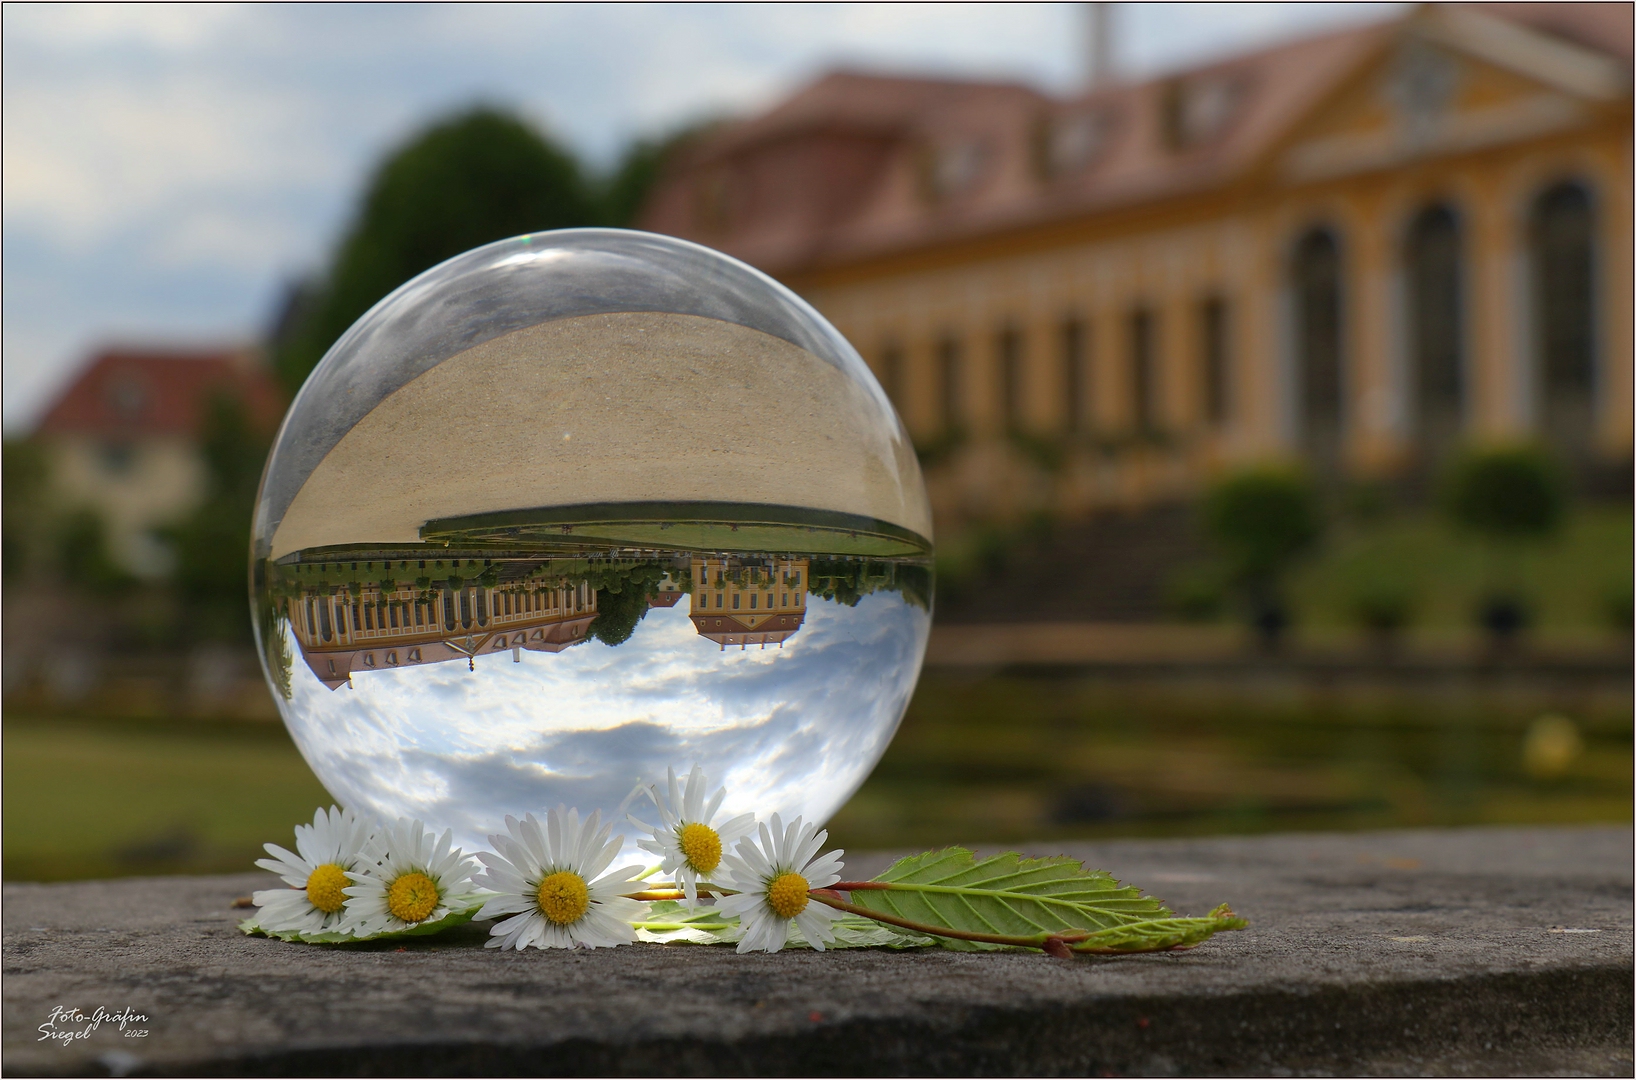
(1432,264)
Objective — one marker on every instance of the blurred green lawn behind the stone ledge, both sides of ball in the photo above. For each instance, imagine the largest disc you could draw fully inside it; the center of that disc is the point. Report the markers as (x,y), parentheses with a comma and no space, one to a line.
(979,760)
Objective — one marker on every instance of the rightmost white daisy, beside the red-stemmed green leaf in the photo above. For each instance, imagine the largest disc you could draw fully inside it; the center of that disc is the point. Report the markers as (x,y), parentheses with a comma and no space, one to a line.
(773,881)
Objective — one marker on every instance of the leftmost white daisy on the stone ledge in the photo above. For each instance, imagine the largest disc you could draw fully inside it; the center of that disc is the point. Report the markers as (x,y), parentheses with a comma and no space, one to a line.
(317,871)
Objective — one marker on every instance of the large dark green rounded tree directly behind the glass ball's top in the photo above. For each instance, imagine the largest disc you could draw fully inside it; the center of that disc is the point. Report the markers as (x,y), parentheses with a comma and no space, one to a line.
(465,182)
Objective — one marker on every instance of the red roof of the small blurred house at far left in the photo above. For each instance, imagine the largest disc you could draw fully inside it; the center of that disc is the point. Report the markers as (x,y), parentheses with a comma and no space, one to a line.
(146,394)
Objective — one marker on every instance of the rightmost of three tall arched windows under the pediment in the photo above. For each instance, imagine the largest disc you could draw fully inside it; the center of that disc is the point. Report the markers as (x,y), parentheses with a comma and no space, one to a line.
(1565,317)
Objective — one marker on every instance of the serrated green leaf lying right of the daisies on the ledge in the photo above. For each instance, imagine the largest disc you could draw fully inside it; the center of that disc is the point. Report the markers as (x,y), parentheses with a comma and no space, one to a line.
(1009,896)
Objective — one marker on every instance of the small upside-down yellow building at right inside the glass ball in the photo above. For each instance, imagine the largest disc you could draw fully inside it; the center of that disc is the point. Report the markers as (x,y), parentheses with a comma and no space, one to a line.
(748,603)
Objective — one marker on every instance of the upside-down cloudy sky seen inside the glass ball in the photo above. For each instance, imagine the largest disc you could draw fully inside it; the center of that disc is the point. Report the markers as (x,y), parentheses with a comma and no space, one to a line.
(793,731)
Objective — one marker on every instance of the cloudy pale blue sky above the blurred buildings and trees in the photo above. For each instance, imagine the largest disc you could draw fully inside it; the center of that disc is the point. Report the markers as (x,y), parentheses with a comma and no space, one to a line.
(168,169)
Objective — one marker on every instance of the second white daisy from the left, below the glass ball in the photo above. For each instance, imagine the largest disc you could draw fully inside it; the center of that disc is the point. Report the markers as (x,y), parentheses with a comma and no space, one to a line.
(410,880)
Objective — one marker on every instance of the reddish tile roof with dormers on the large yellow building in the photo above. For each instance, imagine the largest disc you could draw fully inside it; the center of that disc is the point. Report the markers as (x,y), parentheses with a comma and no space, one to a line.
(860,166)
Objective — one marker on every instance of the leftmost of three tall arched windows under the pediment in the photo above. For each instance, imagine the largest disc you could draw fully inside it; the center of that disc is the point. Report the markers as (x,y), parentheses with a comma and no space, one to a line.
(1316,281)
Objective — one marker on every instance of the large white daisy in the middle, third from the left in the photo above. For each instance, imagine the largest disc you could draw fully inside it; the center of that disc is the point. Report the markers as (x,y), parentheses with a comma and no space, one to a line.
(547,880)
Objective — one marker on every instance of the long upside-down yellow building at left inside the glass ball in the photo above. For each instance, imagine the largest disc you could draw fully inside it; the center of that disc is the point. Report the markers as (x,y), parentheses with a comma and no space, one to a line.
(380,629)
